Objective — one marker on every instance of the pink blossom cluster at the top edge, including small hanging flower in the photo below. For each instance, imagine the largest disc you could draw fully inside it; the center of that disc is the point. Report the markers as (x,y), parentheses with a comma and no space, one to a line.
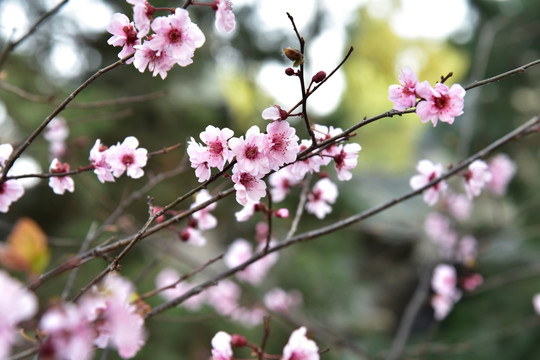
(173,40)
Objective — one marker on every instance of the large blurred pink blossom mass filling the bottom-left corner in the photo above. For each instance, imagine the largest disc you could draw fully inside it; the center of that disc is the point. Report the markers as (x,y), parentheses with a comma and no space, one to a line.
(104,317)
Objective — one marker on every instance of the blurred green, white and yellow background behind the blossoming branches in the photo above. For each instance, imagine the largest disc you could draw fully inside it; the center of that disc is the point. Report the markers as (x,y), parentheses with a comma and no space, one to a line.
(355,283)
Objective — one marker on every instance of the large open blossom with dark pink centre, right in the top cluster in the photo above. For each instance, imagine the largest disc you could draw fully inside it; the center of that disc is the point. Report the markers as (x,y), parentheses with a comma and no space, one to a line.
(177,34)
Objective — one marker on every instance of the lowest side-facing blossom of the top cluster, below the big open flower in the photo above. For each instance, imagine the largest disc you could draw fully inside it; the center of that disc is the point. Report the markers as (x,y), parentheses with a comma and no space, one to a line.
(157,61)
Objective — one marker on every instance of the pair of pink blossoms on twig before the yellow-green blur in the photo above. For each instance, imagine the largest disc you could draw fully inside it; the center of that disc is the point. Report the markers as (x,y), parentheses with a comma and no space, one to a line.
(436,103)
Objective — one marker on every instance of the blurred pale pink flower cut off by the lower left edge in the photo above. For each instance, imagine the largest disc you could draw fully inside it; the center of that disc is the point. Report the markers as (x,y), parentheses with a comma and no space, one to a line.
(16,304)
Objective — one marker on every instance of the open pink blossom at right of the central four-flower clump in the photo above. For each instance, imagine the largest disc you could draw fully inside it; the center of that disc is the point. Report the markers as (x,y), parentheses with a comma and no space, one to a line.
(282,144)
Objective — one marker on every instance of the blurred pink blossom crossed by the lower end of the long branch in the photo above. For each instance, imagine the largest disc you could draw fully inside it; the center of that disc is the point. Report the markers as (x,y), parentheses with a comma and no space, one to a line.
(169,276)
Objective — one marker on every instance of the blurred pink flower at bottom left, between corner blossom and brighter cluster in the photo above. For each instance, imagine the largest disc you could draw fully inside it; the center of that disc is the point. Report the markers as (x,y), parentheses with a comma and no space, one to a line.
(69,333)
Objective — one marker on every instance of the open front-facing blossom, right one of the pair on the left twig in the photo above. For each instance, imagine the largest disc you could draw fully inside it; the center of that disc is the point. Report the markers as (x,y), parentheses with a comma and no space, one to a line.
(126,157)
